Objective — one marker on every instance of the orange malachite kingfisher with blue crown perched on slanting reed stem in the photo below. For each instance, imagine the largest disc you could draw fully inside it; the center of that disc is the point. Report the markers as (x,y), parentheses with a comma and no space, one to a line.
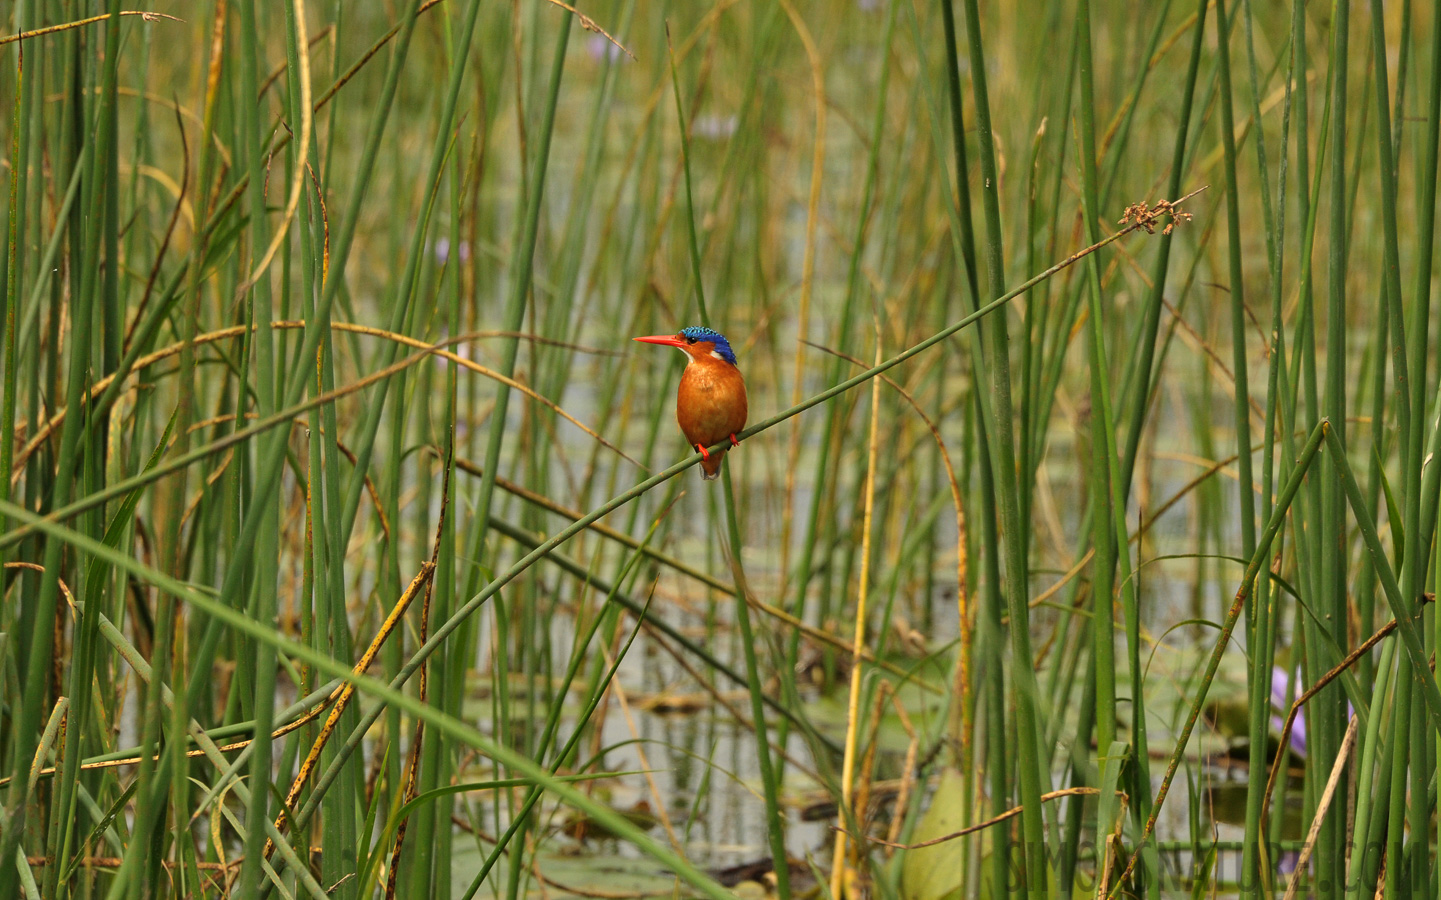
(711,402)
